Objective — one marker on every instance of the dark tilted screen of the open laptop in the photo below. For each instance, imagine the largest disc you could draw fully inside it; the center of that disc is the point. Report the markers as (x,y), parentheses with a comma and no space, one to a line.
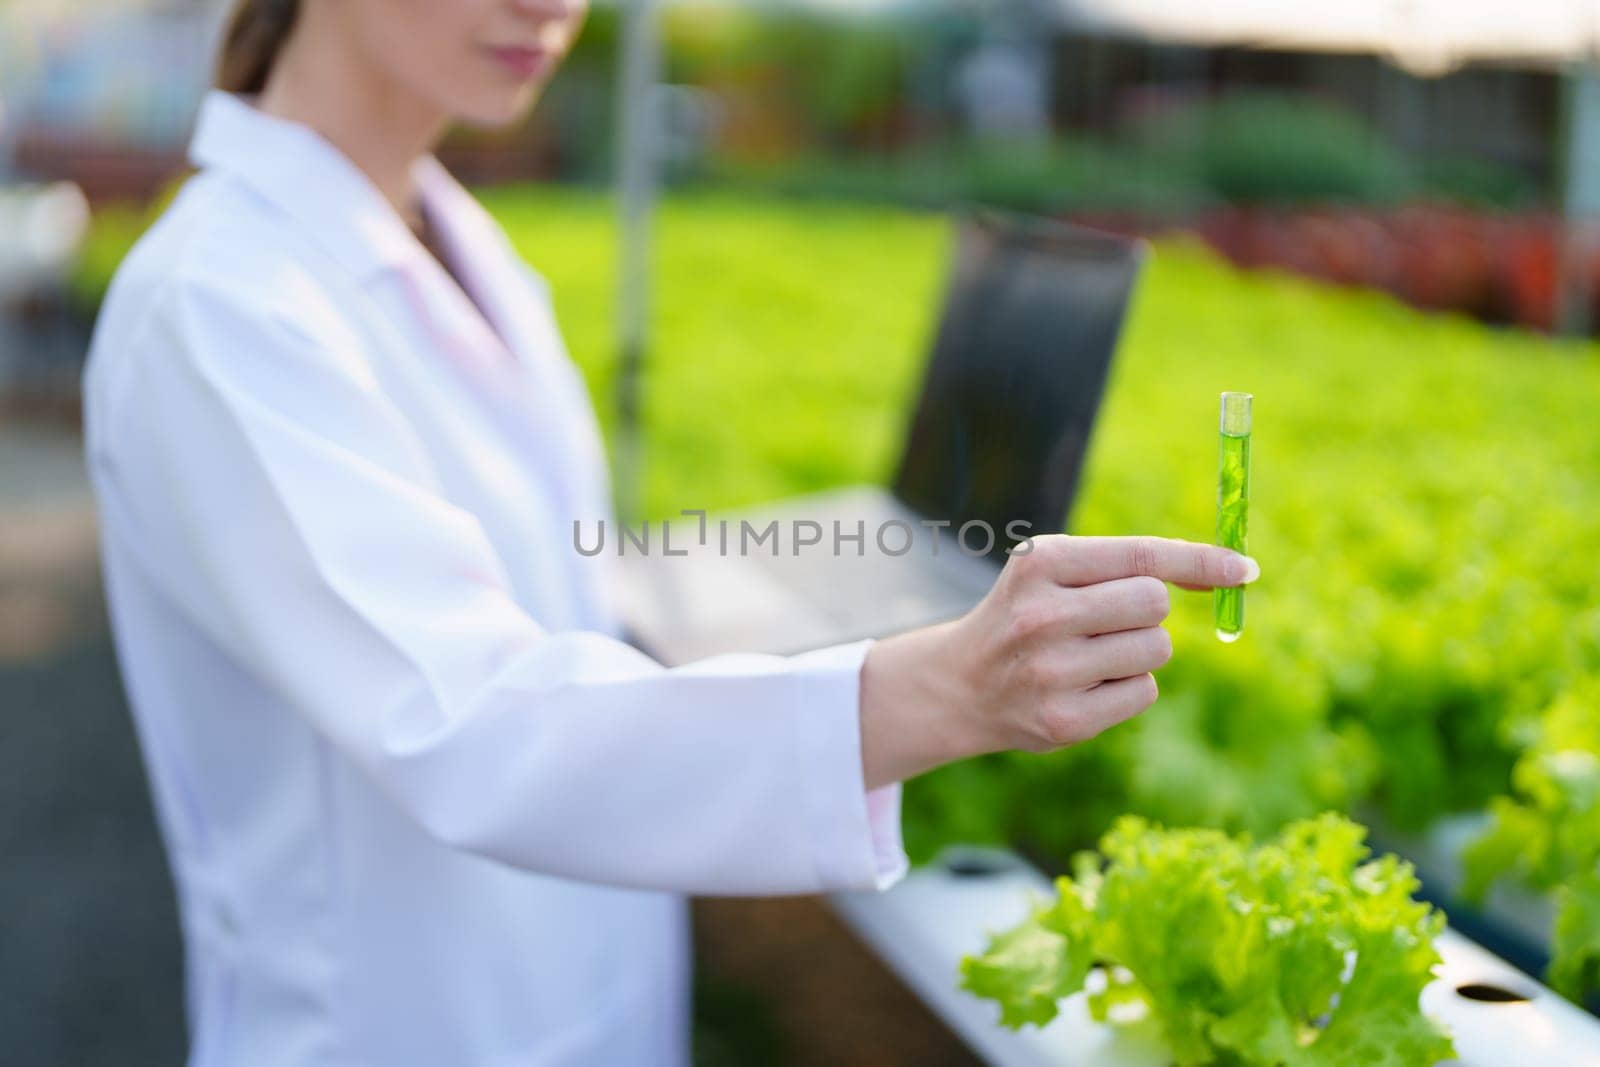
(1018,367)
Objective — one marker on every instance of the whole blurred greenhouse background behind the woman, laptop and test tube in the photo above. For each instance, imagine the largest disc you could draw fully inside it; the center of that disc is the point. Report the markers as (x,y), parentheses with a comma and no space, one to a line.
(1380,230)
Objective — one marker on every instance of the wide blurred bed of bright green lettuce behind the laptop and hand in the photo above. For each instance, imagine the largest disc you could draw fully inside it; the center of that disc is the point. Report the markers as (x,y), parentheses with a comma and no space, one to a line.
(1425,502)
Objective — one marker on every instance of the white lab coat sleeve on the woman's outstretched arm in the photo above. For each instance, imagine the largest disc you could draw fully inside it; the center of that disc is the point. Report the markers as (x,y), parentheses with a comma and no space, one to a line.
(278,495)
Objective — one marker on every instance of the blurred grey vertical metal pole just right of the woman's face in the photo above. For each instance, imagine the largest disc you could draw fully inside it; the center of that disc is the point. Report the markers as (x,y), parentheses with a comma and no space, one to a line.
(638,159)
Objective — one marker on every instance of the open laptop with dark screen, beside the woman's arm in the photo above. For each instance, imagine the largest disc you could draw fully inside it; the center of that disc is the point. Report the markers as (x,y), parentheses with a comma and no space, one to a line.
(993,455)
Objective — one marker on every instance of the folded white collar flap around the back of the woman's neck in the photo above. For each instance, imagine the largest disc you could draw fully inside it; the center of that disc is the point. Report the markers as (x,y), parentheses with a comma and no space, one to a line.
(298,170)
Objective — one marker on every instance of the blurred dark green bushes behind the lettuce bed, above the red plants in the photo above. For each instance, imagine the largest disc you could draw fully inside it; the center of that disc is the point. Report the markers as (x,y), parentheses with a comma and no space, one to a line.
(1246,148)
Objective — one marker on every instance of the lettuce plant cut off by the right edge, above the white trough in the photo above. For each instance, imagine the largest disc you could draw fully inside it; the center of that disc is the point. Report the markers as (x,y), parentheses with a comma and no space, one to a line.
(1548,836)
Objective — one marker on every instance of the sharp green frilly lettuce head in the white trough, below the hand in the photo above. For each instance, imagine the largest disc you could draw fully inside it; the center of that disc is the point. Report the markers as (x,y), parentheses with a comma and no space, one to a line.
(1300,953)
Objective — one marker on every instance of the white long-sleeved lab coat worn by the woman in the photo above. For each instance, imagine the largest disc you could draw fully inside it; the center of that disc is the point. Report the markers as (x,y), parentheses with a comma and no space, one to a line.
(422,801)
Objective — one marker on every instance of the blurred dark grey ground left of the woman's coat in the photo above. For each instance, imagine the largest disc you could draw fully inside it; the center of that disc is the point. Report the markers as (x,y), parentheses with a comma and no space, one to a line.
(90,961)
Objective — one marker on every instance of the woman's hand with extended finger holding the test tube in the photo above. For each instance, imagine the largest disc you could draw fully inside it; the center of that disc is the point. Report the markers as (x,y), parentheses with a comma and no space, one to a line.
(1060,650)
